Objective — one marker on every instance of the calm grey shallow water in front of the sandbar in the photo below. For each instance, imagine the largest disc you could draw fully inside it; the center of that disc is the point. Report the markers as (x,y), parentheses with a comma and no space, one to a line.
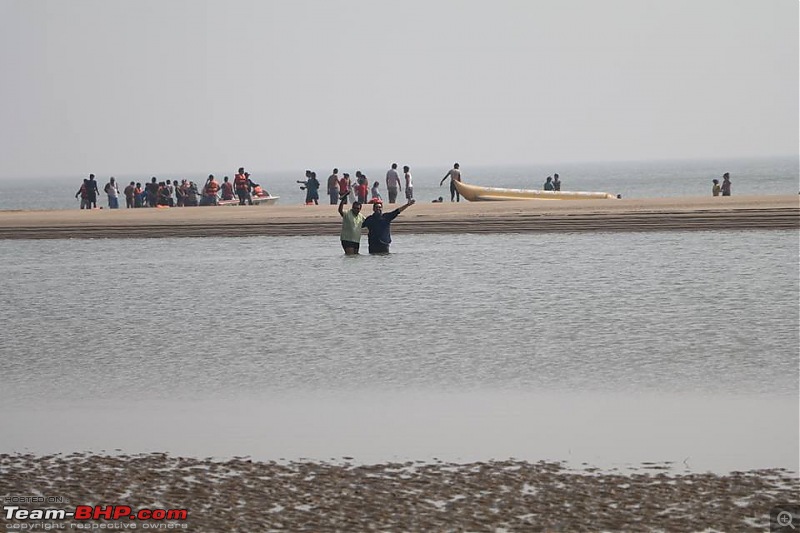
(610,349)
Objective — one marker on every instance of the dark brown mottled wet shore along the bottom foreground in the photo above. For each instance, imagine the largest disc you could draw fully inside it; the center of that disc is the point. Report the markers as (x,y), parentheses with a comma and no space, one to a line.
(245,495)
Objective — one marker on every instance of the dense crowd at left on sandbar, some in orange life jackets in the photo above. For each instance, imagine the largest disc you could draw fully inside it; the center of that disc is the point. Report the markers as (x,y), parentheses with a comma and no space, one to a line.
(170,193)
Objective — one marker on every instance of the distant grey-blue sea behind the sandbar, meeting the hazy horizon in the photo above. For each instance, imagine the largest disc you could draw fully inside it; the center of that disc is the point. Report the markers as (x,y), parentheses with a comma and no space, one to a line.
(635,179)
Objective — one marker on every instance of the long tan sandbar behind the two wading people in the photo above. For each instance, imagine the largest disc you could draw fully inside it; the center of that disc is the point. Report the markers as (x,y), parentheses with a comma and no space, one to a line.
(658,214)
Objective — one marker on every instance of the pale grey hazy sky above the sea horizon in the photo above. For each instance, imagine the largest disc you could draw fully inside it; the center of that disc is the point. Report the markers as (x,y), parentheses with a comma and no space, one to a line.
(149,86)
